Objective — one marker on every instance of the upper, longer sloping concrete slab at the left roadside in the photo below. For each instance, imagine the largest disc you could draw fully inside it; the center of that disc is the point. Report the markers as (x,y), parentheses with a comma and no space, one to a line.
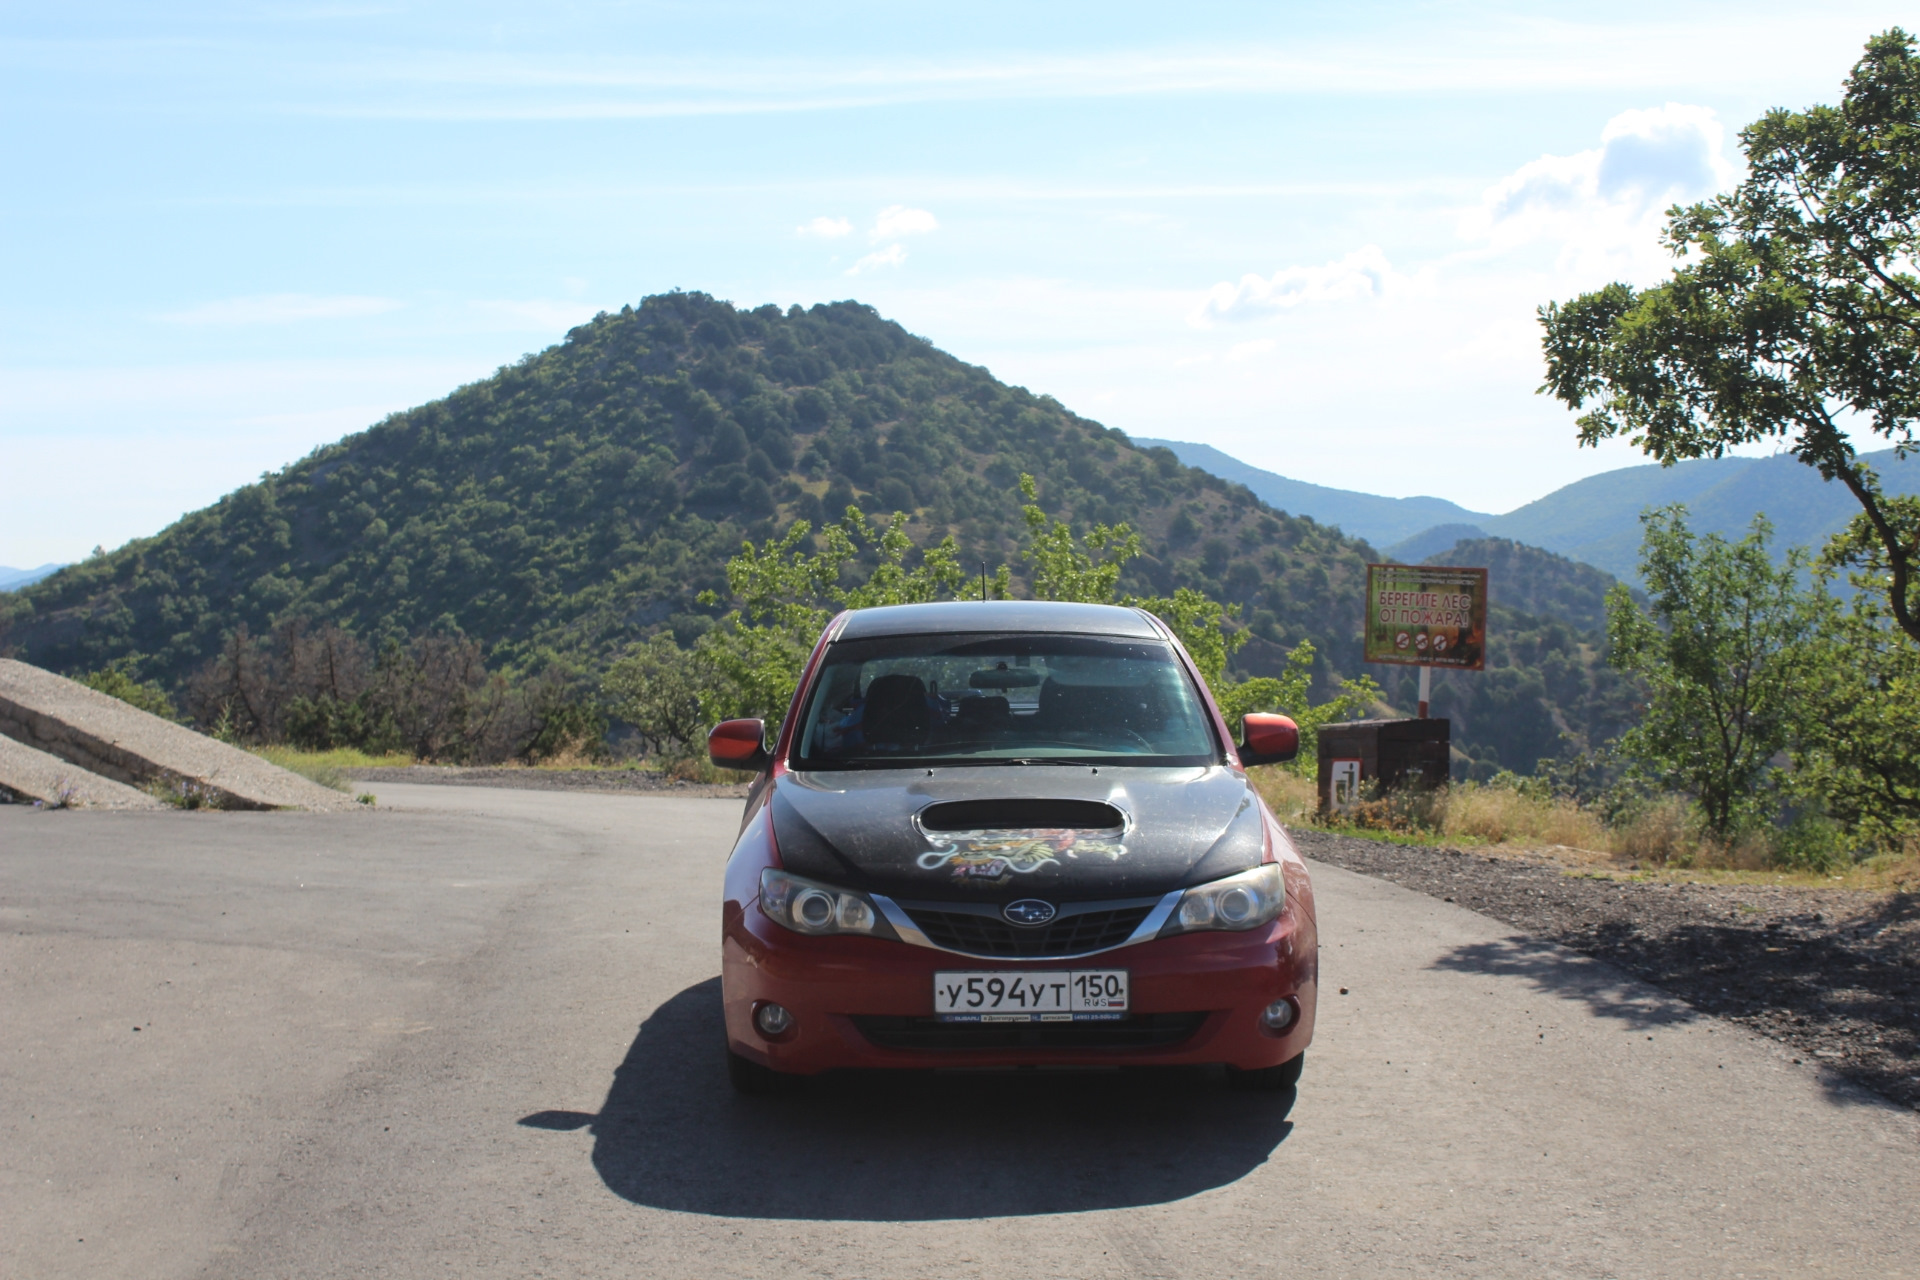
(128,746)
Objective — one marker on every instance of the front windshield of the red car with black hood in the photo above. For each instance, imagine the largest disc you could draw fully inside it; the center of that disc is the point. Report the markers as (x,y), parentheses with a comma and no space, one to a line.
(967,699)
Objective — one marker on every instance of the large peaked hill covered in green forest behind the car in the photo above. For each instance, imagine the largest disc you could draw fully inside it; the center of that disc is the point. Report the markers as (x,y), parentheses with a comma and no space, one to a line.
(588,494)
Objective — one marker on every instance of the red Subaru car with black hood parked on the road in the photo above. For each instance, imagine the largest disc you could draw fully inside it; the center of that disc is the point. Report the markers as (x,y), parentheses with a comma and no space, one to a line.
(1011,834)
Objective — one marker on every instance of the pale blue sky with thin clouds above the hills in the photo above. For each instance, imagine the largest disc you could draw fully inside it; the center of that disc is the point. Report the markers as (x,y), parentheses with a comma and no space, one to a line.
(1308,235)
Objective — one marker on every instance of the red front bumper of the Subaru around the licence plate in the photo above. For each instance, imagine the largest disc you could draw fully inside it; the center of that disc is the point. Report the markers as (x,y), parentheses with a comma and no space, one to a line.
(830,982)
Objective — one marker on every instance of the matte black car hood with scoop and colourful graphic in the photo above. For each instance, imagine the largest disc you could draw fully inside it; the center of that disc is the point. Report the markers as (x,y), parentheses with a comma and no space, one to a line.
(863,830)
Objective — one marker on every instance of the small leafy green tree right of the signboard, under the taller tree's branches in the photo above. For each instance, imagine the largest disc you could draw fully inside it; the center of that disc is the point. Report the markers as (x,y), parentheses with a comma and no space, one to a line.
(1725,659)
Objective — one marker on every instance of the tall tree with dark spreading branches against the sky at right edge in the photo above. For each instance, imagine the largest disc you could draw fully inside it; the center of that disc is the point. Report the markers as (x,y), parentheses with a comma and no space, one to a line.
(1798,321)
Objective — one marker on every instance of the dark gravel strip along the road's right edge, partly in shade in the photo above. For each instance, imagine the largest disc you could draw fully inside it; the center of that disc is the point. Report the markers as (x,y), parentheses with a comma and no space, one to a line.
(1831,972)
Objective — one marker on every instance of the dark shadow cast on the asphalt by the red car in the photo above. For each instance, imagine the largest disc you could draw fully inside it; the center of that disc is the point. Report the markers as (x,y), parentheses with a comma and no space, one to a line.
(911,1147)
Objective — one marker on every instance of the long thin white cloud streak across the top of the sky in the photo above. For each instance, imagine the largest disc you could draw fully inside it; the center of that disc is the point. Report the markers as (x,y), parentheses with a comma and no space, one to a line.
(1441,53)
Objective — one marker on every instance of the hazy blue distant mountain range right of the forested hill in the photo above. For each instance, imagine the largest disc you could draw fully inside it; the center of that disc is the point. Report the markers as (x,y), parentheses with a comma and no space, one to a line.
(1595,521)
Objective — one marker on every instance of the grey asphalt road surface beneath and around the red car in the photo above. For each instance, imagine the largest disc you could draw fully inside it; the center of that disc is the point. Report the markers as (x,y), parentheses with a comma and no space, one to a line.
(477,1035)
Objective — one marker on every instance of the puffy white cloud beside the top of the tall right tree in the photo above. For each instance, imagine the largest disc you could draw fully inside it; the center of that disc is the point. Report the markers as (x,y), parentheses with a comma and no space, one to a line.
(1604,208)
